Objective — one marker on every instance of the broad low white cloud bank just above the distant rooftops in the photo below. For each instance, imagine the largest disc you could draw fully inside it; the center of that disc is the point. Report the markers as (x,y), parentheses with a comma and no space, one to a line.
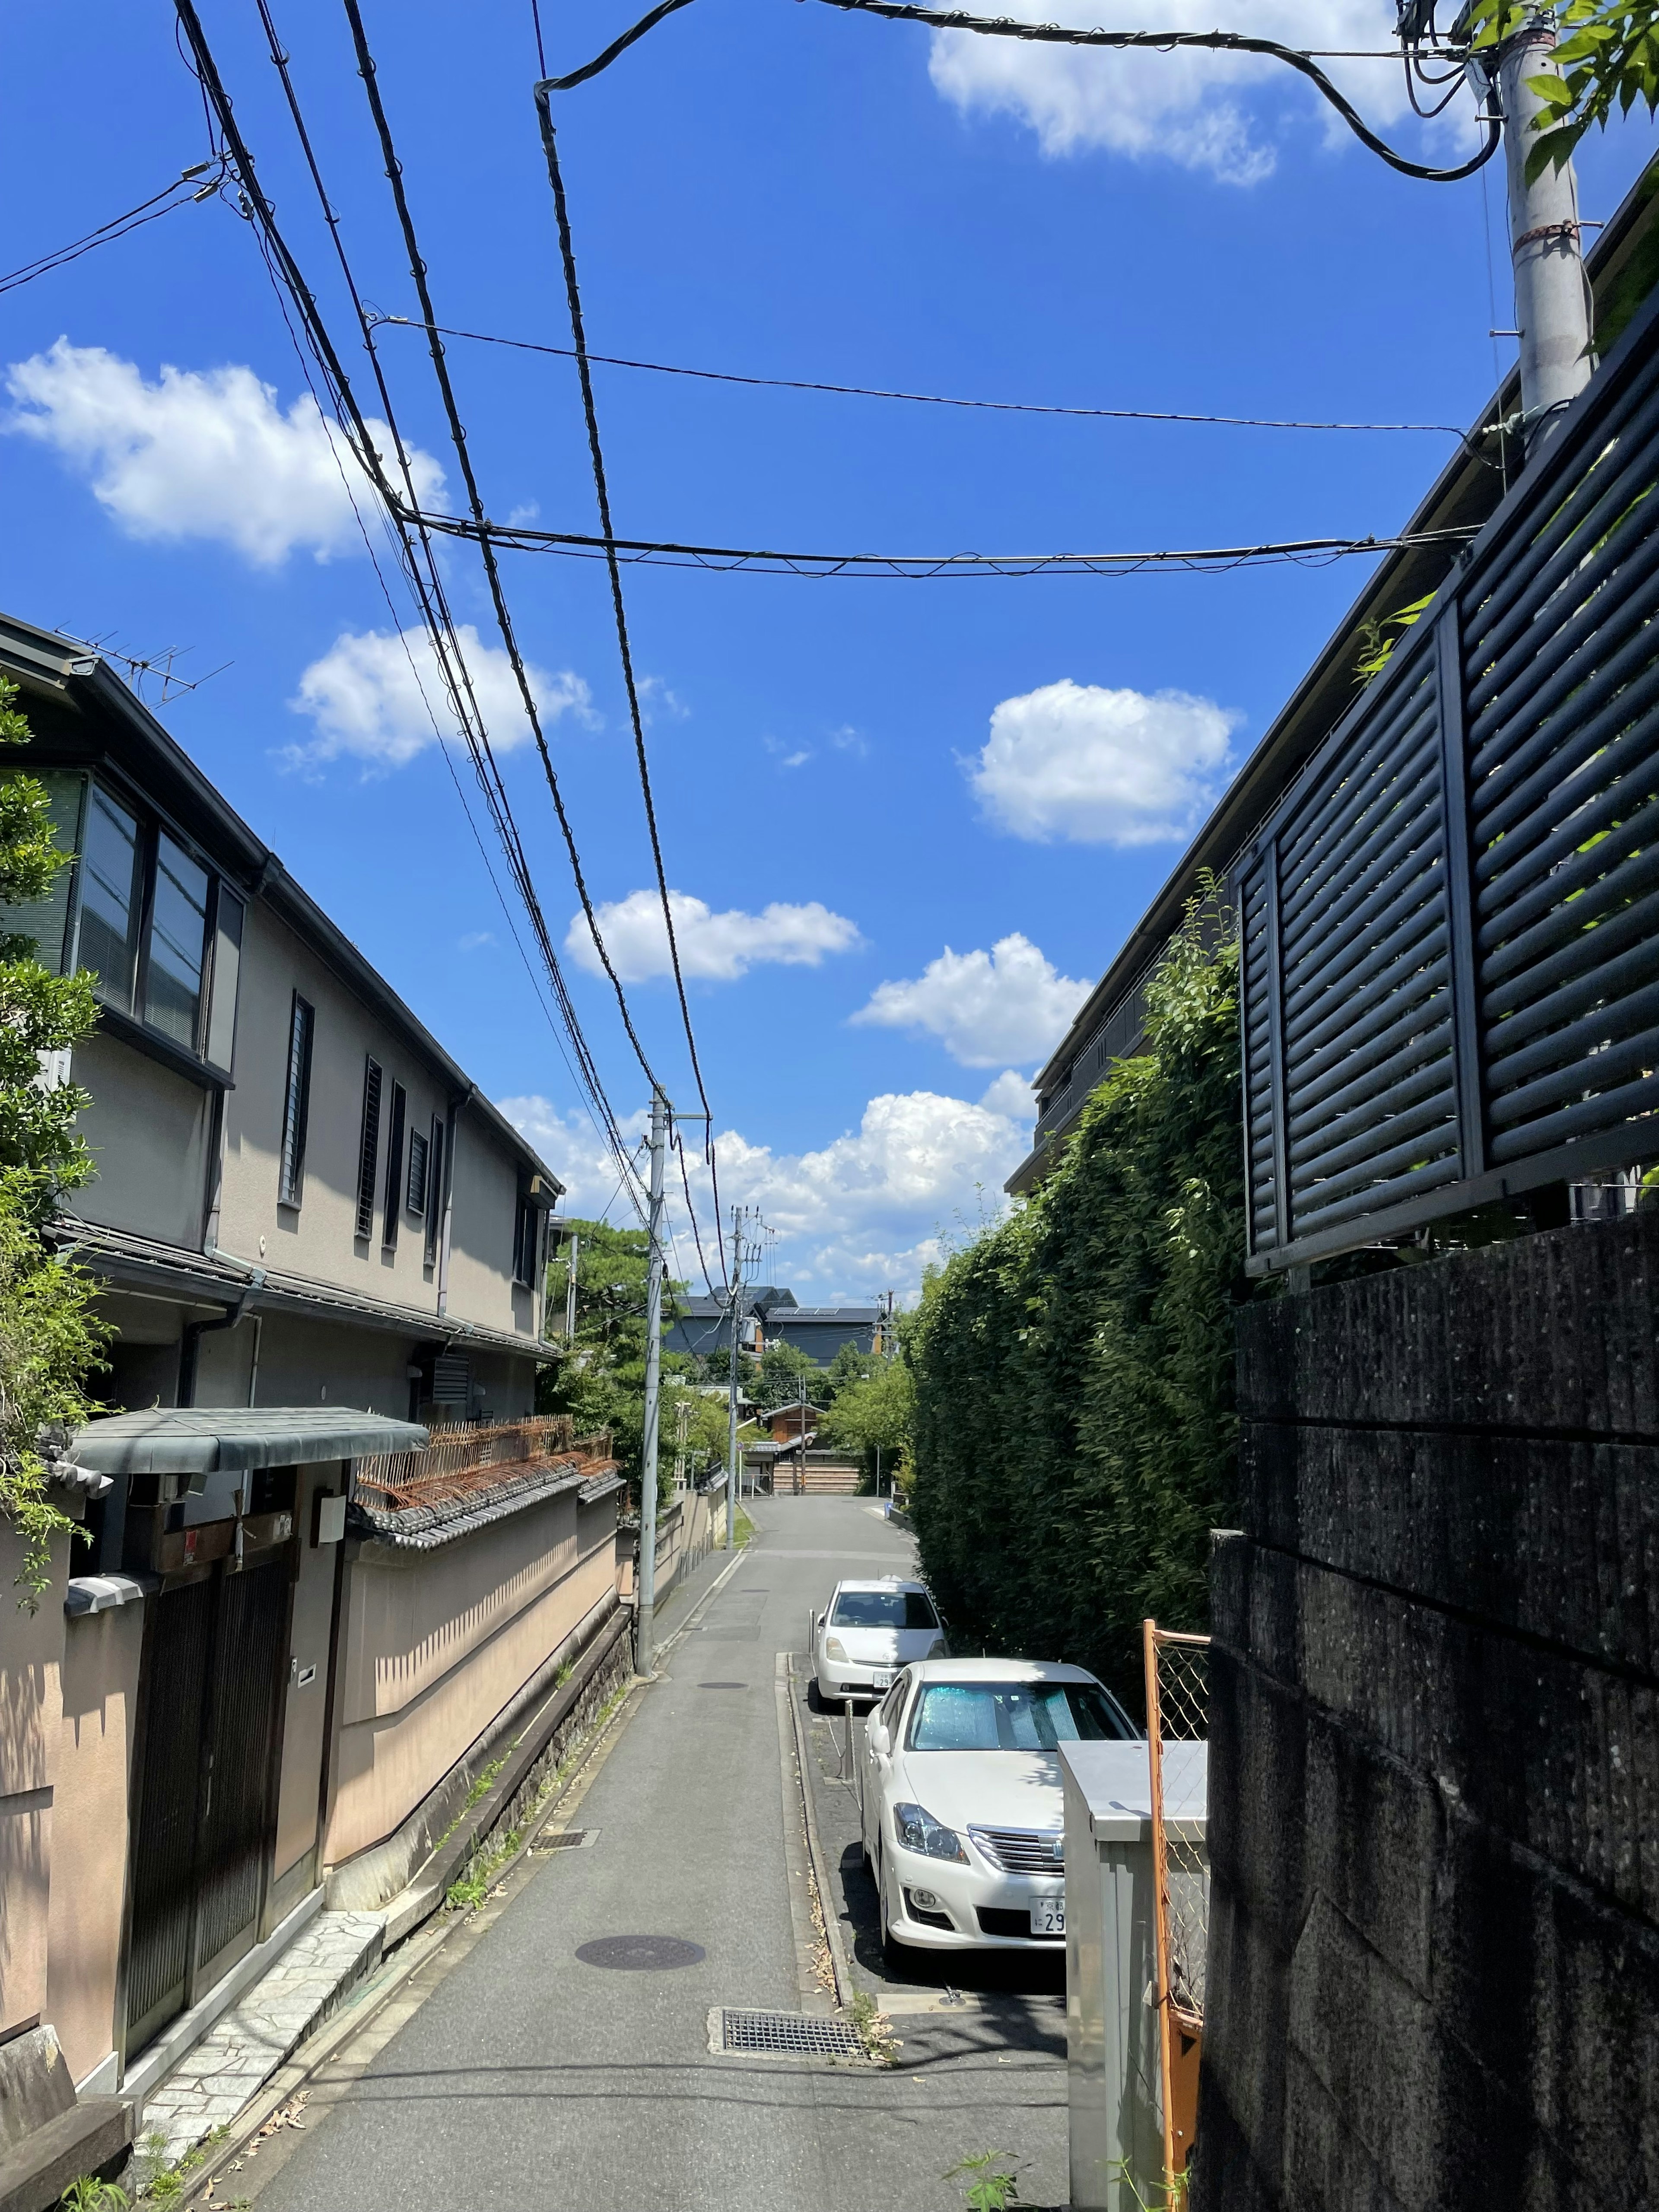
(864,1213)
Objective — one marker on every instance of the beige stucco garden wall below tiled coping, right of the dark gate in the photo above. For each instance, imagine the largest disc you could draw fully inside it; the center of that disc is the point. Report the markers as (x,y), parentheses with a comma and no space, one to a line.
(439,1642)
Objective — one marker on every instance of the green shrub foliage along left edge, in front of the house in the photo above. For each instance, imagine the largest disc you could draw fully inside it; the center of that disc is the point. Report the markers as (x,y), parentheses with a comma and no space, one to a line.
(50,1337)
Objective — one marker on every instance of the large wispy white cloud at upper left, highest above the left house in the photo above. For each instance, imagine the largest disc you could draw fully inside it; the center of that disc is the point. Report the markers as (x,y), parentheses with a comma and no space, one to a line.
(202,452)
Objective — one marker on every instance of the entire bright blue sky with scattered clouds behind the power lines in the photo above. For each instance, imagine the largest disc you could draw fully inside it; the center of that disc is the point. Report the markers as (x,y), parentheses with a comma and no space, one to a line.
(855,778)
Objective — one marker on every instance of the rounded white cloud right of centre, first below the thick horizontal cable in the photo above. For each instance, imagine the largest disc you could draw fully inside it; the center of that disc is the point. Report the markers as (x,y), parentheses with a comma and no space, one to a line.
(1103,766)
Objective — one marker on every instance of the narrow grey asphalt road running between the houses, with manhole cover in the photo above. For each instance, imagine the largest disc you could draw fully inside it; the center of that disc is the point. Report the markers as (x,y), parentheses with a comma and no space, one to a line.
(532,2078)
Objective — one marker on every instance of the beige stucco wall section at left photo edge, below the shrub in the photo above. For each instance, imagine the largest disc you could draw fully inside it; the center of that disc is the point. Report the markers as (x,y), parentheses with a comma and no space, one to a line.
(32,1649)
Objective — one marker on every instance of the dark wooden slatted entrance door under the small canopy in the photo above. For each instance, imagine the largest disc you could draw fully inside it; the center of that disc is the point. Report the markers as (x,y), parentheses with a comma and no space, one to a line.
(205,1813)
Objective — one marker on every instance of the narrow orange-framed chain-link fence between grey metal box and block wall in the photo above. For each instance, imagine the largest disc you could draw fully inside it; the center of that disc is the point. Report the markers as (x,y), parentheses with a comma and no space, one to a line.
(1178,1729)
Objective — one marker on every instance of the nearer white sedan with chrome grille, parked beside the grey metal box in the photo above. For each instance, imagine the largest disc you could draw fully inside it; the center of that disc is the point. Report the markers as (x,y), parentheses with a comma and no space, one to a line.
(963,1808)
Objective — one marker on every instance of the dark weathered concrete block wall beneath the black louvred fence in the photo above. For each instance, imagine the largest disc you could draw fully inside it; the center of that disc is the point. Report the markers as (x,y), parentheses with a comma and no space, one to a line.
(1434,1742)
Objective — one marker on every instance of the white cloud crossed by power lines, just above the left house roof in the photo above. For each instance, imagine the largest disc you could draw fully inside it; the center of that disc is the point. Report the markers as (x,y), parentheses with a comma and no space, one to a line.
(375,693)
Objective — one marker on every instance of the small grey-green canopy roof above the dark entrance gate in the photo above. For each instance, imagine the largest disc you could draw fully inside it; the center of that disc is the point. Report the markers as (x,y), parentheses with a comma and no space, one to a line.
(205,1441)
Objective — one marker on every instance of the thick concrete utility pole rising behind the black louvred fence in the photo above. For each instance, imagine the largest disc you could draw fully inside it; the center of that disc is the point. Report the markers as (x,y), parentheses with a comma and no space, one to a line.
(1545,242)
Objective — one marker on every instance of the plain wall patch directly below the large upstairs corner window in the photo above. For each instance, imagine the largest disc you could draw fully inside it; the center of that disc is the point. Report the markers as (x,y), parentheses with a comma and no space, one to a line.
(149,1131)
